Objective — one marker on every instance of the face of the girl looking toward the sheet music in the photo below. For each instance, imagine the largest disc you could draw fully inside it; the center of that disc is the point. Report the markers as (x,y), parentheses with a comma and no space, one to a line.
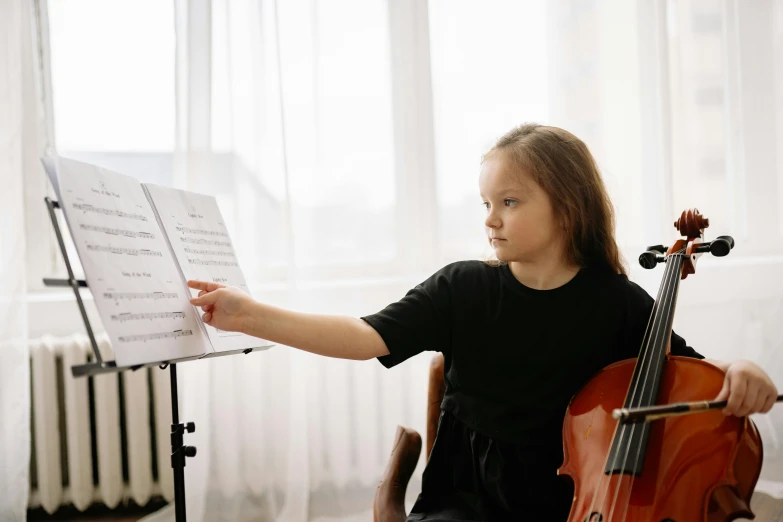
(521,225)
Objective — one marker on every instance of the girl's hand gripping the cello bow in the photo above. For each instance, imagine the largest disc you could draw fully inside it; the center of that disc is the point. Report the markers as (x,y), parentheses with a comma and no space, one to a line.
(748,390)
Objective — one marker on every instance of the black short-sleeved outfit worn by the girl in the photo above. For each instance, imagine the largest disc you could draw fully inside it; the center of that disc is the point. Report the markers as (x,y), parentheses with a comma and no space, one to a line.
(514,357)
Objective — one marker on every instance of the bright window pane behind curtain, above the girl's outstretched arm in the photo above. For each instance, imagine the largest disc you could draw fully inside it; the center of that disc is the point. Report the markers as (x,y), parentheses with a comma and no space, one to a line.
(330,99)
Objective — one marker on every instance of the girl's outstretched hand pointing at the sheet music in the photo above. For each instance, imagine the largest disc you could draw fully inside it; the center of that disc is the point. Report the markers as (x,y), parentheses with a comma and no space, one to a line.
(225,308)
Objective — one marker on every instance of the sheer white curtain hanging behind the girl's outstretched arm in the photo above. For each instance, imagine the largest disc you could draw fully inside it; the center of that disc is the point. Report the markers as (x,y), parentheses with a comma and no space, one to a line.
(298,116)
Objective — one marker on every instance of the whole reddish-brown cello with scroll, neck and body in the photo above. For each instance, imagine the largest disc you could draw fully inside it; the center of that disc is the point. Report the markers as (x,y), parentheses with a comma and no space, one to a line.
(681,468)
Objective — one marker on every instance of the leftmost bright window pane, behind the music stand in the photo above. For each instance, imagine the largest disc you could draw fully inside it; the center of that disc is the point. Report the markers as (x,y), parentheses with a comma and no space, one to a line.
(112,81)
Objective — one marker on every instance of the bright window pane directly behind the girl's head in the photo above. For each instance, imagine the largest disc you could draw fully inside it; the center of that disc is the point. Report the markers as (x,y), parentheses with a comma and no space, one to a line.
(489,74)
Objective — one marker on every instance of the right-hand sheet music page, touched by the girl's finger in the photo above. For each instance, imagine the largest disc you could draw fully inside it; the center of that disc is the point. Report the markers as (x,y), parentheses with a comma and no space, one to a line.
(199,239)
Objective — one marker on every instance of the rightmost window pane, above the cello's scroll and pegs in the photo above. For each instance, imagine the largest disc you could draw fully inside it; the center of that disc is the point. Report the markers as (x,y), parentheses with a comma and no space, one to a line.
(724,136)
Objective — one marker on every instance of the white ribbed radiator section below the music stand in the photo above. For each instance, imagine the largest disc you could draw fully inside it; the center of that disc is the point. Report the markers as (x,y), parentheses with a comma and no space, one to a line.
(102,439)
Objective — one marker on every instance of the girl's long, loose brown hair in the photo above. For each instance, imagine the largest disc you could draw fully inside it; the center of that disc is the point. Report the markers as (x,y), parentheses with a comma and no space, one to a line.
(563,167)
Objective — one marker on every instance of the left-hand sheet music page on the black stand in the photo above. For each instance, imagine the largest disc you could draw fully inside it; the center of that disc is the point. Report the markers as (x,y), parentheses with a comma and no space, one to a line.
(133,278)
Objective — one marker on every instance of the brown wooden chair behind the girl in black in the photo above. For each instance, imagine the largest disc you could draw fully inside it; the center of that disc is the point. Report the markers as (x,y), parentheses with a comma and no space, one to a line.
(389,502)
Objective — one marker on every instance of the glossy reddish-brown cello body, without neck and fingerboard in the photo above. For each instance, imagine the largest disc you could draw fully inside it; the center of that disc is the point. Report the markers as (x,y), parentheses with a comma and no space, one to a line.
(698,468)
